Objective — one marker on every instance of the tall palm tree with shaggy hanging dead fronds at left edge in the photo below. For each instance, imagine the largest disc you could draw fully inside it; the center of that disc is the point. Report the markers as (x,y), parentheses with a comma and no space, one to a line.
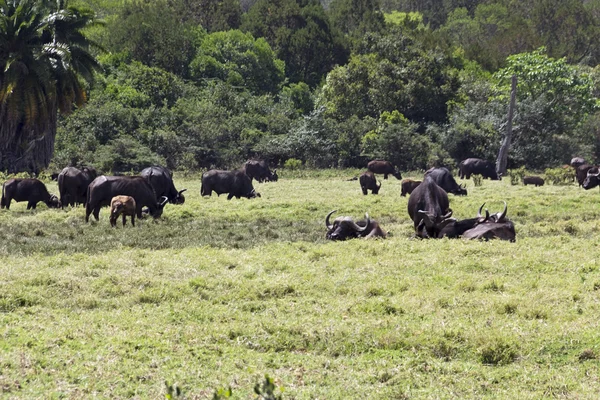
(45,60)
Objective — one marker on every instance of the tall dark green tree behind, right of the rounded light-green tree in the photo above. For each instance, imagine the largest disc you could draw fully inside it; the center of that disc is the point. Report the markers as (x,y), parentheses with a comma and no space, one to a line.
(301,35)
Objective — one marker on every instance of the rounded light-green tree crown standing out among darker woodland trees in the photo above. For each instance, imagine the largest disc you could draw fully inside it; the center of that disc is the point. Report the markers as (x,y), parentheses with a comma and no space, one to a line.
(240,60)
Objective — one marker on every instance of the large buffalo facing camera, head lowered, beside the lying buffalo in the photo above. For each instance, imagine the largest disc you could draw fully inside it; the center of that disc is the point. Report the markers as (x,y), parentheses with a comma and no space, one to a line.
(429,208)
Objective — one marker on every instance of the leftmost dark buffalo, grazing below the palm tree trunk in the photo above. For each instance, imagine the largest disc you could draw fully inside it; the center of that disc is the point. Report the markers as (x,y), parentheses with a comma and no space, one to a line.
(31,190)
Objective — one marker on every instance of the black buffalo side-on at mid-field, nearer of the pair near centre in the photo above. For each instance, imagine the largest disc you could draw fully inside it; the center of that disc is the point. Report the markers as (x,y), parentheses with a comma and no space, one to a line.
(236,183)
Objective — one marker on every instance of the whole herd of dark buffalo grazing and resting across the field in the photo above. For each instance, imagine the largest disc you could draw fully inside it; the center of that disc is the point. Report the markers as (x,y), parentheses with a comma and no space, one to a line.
(149,192)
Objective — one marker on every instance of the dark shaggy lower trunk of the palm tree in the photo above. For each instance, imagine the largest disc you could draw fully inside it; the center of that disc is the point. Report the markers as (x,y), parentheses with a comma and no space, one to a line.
(25,149)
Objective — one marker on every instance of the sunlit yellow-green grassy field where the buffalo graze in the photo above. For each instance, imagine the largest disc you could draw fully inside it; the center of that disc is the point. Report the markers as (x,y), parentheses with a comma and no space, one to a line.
(219,293)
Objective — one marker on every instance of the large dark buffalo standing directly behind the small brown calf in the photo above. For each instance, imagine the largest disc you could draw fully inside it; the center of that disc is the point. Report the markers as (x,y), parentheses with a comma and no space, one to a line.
(102,189)
